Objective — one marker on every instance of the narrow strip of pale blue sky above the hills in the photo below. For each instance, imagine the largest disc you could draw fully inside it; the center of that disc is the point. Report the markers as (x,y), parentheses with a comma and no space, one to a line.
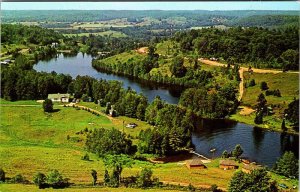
(258,5)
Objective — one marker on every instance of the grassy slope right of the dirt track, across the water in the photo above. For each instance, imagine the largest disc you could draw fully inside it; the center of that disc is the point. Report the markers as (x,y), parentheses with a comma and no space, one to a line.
(287,83)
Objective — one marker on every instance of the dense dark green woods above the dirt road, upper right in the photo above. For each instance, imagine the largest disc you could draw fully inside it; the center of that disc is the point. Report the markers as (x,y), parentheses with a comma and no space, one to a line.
(264,47)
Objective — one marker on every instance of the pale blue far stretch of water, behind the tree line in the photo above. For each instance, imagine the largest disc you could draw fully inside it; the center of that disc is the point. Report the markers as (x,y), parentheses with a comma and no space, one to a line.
(81,65)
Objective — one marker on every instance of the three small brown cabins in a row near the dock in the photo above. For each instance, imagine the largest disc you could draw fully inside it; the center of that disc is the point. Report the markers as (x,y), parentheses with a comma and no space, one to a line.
(225,164)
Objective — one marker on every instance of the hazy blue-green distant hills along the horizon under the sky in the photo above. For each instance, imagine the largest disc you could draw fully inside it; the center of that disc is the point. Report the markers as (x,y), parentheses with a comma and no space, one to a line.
(194,18)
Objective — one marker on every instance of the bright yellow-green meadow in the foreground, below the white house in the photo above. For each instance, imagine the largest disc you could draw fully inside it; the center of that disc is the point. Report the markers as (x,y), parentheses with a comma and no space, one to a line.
(32,141)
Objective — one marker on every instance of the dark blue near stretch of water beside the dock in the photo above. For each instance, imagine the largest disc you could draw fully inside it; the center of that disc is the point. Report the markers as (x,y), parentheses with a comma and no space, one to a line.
(259,145)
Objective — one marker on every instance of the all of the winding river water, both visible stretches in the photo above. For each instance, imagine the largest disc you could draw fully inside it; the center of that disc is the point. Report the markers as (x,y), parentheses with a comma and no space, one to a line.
(258,145)
